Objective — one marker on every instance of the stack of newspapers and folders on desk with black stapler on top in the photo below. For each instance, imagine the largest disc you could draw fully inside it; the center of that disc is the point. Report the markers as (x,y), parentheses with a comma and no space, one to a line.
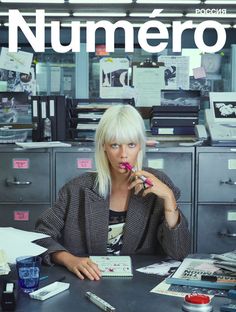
(202,273)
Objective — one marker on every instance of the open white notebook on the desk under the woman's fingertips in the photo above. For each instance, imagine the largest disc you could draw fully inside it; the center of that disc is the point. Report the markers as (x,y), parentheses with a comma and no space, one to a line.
(114,265)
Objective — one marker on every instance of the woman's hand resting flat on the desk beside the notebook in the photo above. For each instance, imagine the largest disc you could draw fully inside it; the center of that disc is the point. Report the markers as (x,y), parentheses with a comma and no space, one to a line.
(81,266)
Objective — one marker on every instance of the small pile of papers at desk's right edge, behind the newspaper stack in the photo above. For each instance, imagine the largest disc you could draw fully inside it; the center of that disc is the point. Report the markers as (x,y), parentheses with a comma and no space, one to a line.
(226,260)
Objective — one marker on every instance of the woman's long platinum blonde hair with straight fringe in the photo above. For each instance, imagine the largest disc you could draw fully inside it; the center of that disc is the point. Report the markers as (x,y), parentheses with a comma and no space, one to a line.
(120,124)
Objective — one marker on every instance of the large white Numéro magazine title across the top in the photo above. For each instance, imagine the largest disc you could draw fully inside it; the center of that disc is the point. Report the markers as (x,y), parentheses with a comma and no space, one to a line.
(37,40)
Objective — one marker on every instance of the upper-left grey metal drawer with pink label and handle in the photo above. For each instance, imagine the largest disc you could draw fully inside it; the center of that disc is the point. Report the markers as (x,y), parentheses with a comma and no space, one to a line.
(25,177)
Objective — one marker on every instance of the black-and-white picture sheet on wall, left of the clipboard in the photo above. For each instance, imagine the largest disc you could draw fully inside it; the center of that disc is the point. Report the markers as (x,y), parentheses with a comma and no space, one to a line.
(114,77)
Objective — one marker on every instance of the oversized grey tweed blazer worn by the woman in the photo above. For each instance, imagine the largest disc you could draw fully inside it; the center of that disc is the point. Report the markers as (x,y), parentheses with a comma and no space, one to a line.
(78,222)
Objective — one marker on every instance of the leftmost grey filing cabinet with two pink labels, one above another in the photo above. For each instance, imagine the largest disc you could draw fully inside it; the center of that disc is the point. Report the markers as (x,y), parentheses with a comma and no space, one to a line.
(25,186)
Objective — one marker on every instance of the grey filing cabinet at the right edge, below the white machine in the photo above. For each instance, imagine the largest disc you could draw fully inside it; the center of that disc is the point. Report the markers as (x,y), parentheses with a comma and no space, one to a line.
(215,199)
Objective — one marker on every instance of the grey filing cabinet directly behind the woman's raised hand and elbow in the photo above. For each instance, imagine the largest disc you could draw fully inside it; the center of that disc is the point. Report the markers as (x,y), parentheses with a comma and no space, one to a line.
(178,163)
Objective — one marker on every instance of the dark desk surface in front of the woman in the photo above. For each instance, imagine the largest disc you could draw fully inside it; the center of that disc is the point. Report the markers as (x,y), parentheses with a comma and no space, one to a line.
(126,294)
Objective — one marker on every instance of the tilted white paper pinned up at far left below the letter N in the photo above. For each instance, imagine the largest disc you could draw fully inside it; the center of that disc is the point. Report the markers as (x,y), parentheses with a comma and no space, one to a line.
(16,61)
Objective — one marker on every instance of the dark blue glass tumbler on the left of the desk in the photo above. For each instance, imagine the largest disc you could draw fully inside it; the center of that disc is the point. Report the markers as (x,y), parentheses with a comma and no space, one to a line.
(28,270)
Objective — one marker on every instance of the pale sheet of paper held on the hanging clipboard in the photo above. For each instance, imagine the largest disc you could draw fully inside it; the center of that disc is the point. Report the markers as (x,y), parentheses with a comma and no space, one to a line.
(148,82)
